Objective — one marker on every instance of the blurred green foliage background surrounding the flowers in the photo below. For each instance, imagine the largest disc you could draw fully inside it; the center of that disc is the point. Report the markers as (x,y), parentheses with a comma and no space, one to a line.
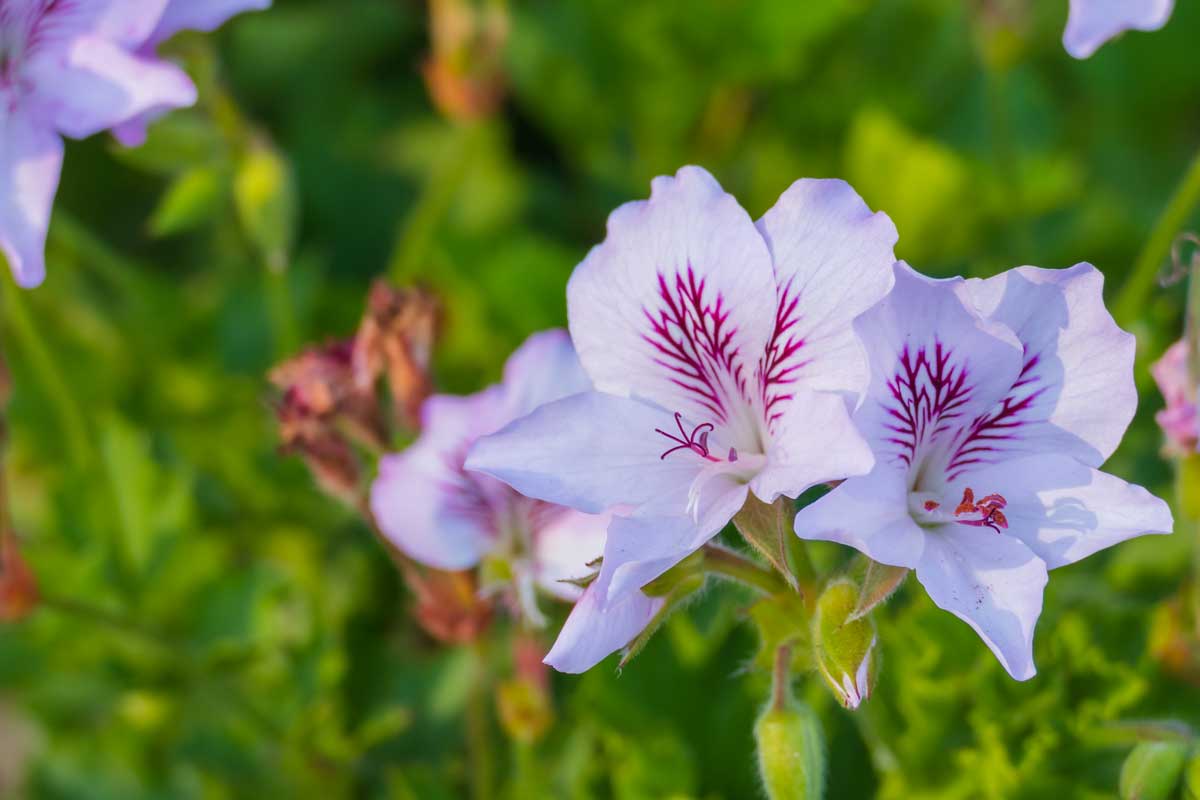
(214,627)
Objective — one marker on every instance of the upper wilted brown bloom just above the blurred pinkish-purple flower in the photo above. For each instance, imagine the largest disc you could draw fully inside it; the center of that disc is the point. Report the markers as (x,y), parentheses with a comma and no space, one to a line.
(395,342)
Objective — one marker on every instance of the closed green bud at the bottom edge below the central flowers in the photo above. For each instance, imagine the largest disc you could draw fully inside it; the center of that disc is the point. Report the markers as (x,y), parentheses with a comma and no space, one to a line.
(791,753)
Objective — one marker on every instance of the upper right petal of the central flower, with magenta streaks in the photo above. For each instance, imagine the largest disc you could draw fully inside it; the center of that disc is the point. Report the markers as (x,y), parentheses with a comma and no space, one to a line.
(833,261)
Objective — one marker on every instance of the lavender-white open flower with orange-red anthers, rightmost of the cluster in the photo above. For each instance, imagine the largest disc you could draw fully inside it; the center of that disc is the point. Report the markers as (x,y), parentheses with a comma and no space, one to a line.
(992,405)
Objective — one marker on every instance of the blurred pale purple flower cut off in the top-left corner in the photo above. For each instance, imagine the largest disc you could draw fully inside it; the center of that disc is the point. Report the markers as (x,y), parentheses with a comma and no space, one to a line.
(74,69)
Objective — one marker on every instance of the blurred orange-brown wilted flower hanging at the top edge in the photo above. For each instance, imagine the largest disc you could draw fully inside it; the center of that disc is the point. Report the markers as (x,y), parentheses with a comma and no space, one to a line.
(465,74)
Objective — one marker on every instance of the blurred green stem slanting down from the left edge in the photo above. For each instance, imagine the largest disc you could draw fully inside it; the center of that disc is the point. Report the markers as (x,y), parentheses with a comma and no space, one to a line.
(55,388)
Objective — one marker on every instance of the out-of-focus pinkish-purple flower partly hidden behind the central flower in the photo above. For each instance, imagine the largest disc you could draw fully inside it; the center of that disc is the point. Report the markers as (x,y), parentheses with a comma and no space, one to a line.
(441,515)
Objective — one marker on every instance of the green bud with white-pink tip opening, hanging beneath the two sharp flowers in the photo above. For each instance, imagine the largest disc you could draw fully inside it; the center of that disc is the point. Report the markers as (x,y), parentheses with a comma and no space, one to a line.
(844,647)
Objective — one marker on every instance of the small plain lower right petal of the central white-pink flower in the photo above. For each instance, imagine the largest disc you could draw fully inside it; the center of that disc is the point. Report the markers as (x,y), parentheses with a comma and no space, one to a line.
(814,442)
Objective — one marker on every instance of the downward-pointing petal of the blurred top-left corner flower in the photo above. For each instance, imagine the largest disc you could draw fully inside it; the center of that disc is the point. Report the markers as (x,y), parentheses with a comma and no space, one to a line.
(31,164)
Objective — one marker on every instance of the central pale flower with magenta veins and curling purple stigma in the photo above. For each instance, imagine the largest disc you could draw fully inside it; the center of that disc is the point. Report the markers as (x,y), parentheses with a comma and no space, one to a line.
(724,364)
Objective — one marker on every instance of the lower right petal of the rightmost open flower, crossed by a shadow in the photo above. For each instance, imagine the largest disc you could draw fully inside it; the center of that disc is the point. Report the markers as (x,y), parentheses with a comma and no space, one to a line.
(1065,512)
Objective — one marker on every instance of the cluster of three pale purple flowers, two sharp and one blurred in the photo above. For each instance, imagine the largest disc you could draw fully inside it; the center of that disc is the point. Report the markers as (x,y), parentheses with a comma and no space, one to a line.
(721,362)
